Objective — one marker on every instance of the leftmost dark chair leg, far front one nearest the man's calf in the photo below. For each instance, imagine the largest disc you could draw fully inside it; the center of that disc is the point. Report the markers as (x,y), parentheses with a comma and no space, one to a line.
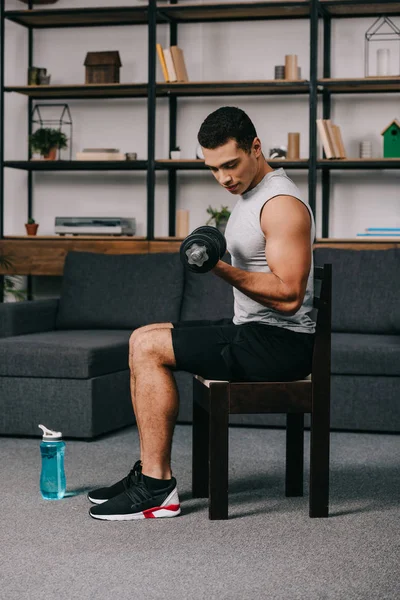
(200,437)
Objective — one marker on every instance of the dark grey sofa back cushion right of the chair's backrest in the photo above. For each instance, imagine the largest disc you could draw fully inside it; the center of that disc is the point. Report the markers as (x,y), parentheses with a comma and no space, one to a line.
(365,289)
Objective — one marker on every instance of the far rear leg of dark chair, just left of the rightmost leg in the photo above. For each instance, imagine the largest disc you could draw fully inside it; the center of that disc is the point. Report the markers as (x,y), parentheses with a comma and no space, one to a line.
(294,454)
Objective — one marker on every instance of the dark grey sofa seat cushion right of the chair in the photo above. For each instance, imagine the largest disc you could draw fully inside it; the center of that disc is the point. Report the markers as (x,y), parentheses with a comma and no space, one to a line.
(365,354)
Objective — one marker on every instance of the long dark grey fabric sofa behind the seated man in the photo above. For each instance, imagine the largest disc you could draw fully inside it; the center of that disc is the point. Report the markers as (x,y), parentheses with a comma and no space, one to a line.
(64,362)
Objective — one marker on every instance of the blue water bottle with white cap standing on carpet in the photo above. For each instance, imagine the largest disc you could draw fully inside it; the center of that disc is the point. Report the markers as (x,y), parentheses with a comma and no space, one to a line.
(52,477)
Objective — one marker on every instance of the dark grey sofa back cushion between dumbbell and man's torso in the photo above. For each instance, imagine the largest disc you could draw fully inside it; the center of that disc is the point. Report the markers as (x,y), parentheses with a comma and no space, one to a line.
(206,296)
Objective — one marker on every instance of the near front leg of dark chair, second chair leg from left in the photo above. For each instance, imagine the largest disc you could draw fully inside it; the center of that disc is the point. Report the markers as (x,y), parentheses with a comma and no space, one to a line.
(218,451)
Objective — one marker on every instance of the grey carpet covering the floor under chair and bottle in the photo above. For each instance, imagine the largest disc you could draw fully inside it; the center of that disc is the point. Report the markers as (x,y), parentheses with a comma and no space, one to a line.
(269,548)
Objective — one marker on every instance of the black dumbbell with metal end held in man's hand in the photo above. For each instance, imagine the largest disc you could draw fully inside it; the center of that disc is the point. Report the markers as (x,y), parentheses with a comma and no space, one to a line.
(202,249)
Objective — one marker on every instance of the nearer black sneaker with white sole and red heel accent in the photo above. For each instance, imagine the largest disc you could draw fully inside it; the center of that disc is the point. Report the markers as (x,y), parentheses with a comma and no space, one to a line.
(137,501)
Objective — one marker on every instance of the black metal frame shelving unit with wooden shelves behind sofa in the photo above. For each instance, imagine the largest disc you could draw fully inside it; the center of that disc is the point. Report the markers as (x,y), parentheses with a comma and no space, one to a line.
(315,11)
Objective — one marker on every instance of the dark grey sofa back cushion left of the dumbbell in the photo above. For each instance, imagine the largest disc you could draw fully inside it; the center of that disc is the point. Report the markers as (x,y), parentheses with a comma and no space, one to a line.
(103,291)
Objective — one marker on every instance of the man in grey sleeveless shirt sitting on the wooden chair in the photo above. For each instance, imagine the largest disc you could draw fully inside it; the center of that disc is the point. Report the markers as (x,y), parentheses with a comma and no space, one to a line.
(269,237)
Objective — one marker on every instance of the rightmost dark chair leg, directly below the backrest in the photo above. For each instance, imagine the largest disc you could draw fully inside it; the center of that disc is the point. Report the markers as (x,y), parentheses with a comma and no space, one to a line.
(319,462)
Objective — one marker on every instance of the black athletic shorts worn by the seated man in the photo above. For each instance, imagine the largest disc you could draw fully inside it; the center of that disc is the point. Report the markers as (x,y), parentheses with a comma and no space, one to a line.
(249,352)
